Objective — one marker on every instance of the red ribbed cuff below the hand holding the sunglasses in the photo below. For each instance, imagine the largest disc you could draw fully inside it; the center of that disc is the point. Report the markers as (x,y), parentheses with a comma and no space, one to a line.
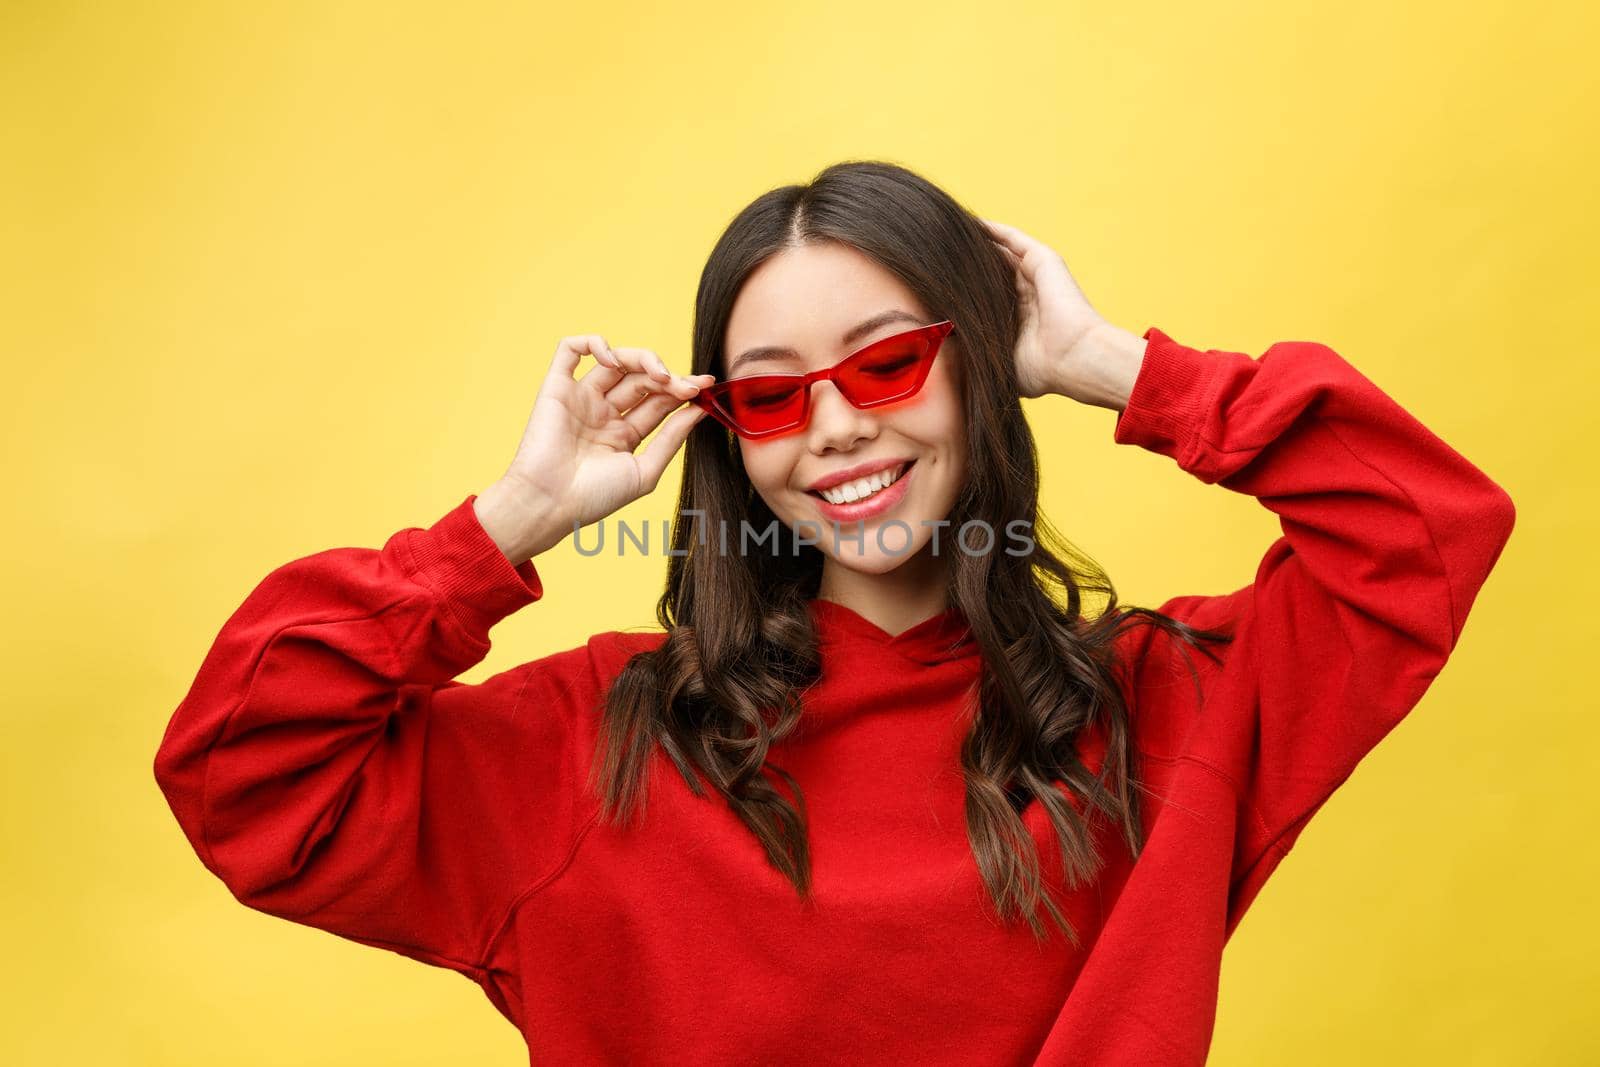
(460,561)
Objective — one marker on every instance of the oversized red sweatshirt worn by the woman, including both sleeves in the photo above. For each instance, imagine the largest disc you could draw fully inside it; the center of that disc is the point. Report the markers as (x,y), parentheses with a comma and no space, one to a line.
(330,772)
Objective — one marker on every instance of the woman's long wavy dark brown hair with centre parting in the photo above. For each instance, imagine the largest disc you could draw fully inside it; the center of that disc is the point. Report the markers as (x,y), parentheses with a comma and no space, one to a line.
(742,647)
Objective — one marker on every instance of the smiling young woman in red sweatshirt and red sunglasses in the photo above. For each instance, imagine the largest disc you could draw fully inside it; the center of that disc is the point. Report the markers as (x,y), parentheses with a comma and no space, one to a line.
(882,791)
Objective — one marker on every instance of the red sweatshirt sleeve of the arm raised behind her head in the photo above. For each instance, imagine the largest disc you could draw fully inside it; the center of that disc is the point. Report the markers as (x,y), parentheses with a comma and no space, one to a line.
(1388,537)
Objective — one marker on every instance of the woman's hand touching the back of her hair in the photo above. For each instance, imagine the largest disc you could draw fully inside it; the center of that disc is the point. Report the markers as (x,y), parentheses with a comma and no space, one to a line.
(1055,313)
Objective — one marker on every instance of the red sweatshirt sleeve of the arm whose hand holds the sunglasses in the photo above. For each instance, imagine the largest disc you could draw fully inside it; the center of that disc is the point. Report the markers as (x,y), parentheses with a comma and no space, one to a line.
(329,770)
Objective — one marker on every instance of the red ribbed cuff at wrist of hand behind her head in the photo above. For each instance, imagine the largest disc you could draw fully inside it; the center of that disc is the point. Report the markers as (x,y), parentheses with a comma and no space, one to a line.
(1169,398)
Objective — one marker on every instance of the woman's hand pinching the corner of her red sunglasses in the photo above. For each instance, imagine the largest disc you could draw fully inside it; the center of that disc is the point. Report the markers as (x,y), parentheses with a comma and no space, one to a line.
(577,462)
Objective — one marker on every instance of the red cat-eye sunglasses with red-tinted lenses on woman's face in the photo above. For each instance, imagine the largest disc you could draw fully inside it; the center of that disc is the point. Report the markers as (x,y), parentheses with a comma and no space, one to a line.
(889,370)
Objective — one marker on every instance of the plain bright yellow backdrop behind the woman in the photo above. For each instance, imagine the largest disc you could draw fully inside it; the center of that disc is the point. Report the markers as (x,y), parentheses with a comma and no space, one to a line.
(286,278)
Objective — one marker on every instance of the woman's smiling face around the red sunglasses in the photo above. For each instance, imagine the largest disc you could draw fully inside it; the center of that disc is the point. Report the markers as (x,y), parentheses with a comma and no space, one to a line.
(814,300)
